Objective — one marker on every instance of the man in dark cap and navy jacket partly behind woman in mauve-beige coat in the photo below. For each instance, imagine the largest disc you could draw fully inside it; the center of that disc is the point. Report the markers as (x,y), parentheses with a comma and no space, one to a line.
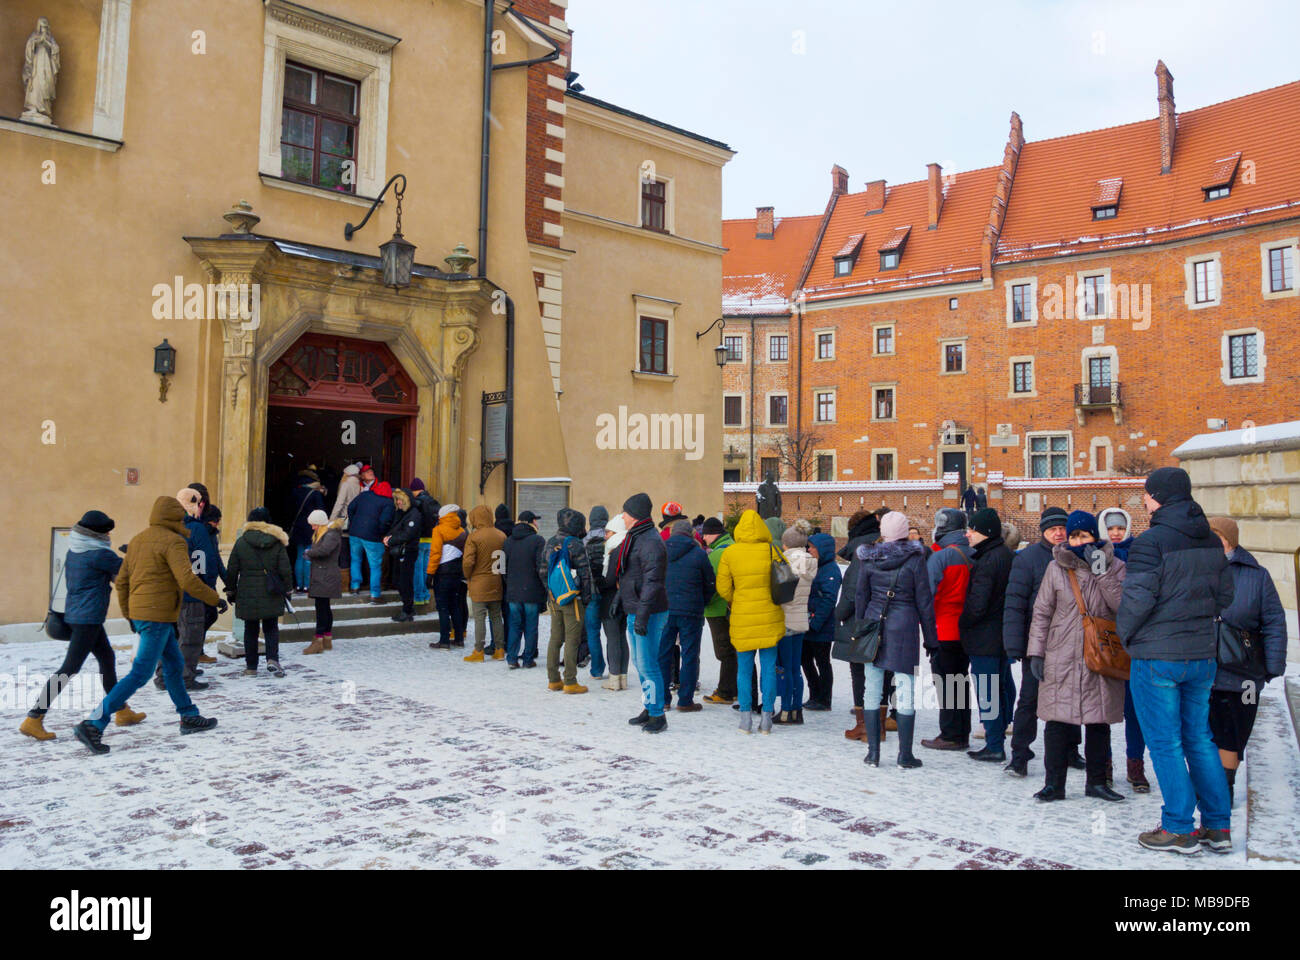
(1022,590)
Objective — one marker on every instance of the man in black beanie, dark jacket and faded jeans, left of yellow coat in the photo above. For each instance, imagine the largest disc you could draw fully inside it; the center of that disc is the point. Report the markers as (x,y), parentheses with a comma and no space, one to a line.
(640,572)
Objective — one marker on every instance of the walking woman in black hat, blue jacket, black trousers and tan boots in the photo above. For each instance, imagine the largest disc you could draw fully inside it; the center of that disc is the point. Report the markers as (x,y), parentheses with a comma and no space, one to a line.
(90,569)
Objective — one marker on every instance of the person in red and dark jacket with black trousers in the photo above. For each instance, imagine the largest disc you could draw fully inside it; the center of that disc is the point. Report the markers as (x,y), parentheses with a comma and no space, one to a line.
(950,577)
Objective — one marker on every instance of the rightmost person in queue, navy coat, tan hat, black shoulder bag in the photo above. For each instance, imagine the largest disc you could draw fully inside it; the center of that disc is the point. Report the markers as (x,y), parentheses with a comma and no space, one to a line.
(1253,651)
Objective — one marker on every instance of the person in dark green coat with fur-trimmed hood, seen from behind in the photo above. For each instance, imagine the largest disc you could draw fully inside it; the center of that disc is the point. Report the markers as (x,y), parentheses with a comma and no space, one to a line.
(258,559)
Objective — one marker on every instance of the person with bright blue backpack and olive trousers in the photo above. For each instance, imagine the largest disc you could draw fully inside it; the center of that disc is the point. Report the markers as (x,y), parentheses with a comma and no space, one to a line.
(567,573)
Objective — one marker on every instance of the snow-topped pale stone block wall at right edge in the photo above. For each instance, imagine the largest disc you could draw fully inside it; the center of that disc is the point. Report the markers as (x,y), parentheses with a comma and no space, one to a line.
(1254,477)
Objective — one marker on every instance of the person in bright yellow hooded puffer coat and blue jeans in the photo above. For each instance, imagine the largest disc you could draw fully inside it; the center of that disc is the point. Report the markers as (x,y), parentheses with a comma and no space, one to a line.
(757,624)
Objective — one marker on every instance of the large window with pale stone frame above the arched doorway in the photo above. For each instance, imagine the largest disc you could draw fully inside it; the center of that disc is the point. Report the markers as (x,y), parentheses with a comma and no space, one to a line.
(353,67)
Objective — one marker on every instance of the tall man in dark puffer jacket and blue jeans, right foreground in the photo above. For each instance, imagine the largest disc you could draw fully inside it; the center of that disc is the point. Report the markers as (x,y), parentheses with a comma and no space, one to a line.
(1177,583)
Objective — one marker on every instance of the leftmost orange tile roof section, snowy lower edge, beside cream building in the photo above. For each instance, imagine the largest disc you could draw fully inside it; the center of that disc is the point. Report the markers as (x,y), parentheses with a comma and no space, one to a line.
(760,275)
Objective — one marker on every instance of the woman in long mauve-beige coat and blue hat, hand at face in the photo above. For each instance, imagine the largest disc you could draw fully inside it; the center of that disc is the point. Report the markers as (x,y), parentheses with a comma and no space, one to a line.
(1069,693)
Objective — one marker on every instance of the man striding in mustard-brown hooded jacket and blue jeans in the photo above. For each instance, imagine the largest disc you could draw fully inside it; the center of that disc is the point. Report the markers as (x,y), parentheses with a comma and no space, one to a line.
(149,591)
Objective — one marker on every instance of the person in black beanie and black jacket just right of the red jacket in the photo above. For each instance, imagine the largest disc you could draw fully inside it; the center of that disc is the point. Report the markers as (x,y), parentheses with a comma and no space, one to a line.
(981,628)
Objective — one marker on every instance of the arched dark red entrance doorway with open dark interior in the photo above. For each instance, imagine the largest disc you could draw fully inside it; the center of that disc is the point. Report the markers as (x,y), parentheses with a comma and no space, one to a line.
(335,401)
